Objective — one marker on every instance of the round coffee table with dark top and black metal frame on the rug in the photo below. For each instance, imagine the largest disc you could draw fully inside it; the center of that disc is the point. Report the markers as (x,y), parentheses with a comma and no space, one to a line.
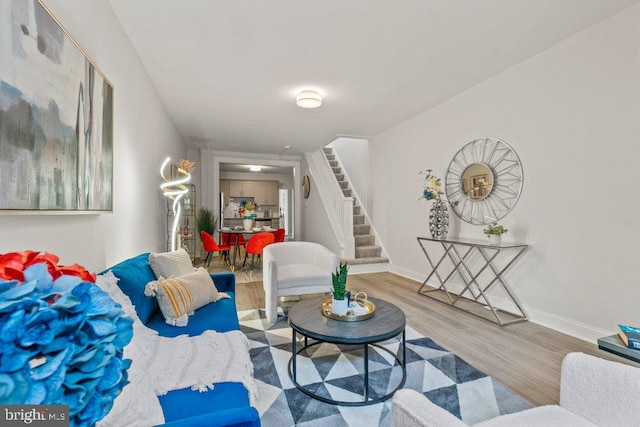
(307,319)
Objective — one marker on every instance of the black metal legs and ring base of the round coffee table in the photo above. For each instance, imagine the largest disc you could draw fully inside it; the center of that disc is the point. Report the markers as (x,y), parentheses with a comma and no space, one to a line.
(366,401)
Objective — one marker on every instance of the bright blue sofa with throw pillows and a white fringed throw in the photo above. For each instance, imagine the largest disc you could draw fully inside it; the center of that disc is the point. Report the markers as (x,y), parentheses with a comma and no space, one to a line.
(228,403)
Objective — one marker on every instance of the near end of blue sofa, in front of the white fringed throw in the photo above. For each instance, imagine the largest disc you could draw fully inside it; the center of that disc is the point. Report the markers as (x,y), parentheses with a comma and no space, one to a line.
(226,405)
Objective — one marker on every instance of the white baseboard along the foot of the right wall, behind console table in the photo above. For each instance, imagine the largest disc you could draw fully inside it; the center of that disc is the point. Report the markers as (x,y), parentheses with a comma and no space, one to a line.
(567,326)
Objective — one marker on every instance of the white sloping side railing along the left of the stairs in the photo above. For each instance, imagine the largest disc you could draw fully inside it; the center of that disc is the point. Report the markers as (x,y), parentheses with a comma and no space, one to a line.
(339,207)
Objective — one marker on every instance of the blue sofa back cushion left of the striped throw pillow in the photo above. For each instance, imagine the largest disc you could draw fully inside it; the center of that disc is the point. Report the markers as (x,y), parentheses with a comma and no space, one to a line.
(134,274)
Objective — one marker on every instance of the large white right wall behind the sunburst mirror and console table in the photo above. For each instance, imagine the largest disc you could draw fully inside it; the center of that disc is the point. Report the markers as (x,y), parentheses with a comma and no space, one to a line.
(572,113)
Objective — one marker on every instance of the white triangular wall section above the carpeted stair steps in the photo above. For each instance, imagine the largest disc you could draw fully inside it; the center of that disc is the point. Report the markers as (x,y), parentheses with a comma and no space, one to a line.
(354,157)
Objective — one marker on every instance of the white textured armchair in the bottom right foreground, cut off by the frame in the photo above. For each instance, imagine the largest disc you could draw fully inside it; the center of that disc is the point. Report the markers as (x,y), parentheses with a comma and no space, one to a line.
(593,391)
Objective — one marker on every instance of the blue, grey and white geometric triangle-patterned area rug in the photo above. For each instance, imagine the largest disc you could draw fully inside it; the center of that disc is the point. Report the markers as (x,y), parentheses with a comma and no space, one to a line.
(337,372)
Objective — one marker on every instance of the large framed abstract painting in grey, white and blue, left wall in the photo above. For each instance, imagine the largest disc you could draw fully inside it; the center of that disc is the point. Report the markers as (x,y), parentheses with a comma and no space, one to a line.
(56,118)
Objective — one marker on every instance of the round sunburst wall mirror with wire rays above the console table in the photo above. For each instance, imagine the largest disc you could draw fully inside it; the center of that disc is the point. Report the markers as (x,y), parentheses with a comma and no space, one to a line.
(484,181)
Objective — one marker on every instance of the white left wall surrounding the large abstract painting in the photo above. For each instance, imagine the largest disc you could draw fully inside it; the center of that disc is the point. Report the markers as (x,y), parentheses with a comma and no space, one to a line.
(143,136)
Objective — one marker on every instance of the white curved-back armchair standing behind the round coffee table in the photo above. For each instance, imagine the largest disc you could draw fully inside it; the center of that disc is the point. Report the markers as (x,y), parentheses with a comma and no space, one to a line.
(295,268)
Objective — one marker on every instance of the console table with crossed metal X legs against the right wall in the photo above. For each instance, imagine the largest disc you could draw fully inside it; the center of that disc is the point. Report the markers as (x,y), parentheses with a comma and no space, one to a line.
(463,261)
